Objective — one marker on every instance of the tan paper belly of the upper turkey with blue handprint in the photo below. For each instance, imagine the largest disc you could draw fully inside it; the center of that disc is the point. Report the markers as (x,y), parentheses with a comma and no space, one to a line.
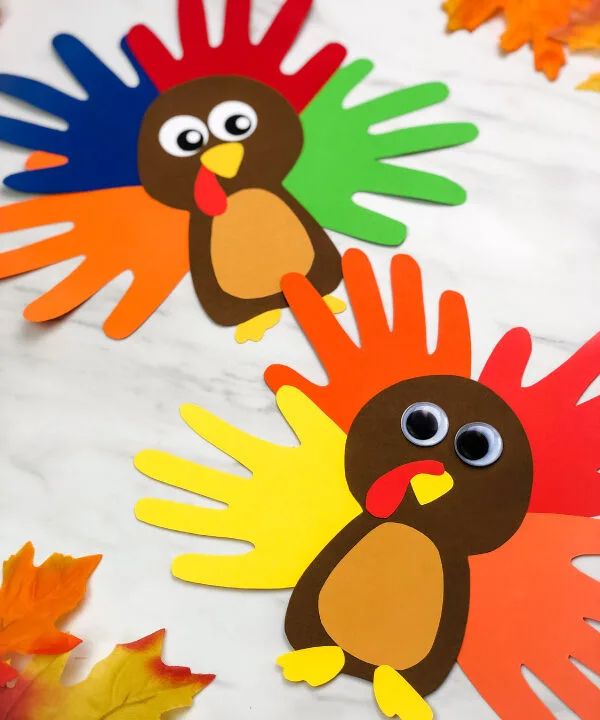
(257,241)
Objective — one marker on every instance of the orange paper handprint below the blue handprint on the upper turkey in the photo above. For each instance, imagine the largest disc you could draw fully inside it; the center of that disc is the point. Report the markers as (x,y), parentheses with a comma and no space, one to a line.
(155,252)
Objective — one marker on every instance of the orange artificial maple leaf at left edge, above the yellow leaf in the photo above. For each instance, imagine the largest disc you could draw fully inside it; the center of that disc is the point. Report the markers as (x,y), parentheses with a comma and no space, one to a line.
(33,599)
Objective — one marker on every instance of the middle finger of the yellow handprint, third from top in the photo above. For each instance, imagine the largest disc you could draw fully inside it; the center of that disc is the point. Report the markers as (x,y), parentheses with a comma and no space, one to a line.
(187,475)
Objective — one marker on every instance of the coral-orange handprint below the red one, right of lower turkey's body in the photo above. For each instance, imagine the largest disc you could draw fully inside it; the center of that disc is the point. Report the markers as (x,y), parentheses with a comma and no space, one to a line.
(528,608)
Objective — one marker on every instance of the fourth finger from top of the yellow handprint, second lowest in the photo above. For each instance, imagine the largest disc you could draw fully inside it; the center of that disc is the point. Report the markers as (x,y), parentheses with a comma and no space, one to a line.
(184,518)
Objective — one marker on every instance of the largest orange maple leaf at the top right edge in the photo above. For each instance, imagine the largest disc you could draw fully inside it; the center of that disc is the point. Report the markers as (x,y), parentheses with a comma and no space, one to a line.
(533,23)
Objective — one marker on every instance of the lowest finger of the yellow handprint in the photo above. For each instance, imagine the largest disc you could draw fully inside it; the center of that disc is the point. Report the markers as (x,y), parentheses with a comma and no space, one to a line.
(246,571)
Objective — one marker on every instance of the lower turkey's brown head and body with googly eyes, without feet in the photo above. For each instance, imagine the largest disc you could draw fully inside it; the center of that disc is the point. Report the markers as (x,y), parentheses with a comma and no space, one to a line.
(440,484)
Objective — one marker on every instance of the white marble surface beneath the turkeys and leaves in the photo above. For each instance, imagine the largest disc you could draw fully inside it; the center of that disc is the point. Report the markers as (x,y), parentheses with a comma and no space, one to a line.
(76,406)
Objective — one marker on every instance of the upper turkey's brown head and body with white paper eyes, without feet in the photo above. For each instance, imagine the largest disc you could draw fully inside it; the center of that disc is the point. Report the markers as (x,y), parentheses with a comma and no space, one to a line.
(220,147)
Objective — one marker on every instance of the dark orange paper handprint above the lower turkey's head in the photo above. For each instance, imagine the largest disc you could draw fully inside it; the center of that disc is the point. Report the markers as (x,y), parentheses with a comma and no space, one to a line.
(385,355)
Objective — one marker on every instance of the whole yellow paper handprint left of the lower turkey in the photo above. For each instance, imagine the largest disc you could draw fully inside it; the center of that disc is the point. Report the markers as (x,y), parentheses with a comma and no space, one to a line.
(294,503)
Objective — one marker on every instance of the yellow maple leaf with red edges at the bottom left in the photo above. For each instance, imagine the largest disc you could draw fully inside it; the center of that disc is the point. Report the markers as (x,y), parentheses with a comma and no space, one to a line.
(132,682)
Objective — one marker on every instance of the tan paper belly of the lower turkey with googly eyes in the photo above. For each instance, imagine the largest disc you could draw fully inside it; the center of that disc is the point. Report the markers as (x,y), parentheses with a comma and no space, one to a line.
(383,601)
